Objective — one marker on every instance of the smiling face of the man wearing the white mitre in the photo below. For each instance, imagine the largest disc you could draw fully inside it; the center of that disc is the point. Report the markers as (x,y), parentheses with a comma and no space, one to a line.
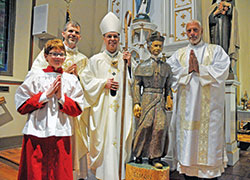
(111,40)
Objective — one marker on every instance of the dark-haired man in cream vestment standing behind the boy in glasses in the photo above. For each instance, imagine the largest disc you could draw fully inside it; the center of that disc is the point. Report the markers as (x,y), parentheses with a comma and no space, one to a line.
(73,64)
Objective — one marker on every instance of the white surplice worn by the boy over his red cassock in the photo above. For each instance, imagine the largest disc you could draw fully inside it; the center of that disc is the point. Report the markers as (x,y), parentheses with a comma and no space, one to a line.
(49,120)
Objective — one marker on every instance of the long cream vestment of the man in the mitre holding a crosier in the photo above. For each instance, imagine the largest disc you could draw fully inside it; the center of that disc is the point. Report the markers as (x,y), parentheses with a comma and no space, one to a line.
(105,115)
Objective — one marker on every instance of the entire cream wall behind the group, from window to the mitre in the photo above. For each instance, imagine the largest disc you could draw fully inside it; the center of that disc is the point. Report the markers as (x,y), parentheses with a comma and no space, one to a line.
(87,13)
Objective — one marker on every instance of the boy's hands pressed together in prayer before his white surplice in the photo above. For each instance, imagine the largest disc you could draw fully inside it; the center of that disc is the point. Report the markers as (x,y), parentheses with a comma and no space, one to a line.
(55,88)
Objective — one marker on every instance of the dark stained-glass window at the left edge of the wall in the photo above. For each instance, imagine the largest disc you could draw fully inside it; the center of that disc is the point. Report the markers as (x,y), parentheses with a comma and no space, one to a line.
(7,29)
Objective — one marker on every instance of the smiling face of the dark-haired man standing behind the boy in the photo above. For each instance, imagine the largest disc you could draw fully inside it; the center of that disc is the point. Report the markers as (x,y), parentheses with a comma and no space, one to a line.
(71,36)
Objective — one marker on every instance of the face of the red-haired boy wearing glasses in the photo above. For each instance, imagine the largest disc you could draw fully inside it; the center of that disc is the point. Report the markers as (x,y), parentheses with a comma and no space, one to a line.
(55,57)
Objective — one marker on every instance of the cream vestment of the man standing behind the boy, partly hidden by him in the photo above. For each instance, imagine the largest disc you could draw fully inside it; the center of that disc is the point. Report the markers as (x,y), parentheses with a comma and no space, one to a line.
(79,145)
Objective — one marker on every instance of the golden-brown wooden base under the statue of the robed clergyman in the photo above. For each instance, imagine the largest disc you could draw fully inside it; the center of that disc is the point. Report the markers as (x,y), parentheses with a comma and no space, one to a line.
(145,172)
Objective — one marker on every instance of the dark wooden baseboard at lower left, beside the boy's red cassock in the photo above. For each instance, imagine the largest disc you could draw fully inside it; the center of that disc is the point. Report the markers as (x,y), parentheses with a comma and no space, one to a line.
(10,142)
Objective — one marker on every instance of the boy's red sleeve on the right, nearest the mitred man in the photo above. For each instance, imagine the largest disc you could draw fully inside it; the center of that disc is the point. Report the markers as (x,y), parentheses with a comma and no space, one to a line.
(70,107)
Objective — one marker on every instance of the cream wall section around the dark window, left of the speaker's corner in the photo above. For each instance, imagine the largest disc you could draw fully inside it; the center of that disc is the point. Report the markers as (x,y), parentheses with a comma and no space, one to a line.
(20,67)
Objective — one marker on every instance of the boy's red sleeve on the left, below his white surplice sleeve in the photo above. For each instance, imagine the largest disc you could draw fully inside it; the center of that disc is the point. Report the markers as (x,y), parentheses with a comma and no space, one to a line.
(31,104)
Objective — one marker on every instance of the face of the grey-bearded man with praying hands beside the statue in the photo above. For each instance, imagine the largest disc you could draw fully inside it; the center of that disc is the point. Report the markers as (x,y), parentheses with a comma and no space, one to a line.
(194,32)
